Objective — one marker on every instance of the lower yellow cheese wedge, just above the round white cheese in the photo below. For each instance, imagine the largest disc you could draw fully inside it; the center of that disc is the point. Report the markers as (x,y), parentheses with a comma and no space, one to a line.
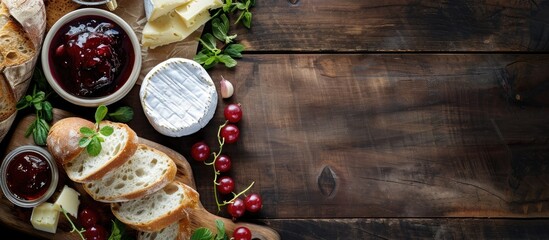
(169,29)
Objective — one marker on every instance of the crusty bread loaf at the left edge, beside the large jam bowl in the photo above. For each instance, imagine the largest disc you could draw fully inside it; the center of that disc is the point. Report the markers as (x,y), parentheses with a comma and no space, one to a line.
(22,28)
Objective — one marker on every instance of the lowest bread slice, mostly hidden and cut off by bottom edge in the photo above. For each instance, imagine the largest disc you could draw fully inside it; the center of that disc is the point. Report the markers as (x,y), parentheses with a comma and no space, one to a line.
(179,230)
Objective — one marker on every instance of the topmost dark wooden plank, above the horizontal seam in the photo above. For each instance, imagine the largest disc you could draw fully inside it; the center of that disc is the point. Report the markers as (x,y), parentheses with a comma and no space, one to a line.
(397,25)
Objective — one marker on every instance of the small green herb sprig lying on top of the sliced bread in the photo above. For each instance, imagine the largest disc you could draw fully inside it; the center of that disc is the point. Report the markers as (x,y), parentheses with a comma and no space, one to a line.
(92,138)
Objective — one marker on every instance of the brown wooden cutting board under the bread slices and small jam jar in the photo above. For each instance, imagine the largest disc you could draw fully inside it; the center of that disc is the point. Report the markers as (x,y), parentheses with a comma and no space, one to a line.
(19,218)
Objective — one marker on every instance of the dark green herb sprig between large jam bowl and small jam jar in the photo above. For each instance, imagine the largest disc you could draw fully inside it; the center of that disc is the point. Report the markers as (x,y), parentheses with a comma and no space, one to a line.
(40,127)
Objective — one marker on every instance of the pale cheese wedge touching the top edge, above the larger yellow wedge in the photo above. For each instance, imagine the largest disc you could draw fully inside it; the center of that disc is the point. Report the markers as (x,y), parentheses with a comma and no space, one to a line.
(190,12)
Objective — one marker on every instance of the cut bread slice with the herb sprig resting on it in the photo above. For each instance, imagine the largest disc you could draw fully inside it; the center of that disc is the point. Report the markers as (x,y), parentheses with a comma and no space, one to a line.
(116,150)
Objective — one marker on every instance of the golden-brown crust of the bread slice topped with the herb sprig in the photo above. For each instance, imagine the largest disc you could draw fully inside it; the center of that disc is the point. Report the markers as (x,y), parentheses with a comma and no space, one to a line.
(119,159)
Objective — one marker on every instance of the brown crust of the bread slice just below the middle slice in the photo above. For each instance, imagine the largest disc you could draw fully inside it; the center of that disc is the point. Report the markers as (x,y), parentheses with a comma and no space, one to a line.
(190,202)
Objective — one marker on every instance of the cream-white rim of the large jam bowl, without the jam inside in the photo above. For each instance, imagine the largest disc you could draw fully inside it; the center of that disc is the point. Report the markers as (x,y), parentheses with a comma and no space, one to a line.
(105,100)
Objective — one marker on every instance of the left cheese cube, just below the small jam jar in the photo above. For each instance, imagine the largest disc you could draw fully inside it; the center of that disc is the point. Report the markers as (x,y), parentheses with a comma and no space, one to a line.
(45,217)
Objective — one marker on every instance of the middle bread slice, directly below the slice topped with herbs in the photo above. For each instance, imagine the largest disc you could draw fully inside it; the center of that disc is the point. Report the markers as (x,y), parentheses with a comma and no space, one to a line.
(147,171)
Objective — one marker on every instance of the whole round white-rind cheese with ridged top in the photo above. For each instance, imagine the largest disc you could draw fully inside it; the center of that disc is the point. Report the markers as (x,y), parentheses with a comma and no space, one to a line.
(178,97)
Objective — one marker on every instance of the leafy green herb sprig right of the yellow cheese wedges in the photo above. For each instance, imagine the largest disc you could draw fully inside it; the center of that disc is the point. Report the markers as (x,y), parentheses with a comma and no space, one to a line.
(219,46)
